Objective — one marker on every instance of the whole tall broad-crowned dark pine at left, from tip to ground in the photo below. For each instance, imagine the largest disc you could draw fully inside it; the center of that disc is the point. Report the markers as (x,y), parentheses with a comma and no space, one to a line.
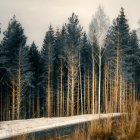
(13,39)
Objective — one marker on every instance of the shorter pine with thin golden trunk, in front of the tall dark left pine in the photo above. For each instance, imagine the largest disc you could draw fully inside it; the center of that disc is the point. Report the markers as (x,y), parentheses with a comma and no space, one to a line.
(22,78)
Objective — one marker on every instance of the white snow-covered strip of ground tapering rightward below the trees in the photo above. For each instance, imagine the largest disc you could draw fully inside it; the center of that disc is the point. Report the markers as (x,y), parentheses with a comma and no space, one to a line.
(19,127)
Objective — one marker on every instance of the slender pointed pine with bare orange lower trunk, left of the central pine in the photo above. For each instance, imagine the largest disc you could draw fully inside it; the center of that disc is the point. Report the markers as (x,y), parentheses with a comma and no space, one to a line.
(48,56)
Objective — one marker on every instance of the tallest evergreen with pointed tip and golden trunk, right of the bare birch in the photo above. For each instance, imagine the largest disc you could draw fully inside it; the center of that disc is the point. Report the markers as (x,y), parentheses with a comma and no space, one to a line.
(119,53)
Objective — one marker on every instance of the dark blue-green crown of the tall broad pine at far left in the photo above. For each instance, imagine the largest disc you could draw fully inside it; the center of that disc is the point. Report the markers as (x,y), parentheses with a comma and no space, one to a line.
(13,38)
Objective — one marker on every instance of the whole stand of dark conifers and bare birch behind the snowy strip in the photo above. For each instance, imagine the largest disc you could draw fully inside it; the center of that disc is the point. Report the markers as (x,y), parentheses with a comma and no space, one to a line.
(74,72)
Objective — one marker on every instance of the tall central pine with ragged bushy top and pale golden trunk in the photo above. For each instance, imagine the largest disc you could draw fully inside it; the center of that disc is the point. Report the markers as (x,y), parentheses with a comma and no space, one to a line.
(73,38)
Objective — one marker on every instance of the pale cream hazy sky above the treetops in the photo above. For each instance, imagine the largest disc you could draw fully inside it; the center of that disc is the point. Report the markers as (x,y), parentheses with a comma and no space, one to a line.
(36,15)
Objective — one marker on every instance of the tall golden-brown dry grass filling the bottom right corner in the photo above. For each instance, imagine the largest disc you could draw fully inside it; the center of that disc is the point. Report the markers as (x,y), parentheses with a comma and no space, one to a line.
(122,128)
